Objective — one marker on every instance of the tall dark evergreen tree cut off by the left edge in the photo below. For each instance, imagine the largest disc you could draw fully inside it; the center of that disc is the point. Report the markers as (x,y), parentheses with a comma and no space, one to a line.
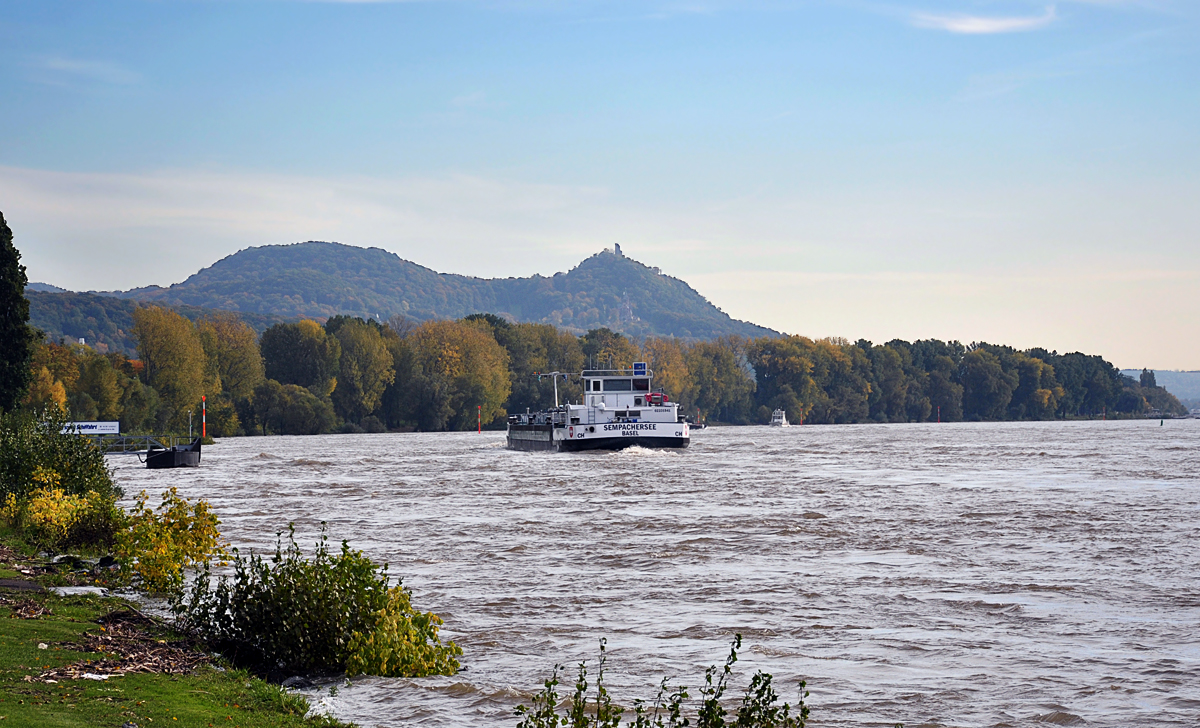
(17,335)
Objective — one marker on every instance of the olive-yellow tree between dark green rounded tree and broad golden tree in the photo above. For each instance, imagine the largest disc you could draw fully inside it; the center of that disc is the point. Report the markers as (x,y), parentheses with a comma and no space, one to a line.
(365,370)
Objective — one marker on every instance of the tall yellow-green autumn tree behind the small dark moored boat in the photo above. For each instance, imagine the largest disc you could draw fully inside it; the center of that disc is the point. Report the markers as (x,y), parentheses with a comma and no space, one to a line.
(176,364)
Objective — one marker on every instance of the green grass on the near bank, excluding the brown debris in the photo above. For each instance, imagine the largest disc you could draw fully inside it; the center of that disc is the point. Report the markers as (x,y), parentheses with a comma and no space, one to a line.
(211,696)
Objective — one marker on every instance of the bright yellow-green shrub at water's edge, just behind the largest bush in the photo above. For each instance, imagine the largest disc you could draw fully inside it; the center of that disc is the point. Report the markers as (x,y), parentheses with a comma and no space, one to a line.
(158,546)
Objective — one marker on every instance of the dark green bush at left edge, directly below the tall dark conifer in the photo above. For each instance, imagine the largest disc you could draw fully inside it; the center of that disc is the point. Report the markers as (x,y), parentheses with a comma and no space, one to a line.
(33,444)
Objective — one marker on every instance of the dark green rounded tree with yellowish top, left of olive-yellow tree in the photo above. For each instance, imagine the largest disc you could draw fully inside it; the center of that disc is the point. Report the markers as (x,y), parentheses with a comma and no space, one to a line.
(302,354)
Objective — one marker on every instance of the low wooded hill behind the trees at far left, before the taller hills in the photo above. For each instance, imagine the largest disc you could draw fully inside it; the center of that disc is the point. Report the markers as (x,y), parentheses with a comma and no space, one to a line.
(106,320)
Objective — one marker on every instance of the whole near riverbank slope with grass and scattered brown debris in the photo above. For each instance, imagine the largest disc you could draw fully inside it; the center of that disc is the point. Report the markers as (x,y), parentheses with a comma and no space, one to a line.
(92,660)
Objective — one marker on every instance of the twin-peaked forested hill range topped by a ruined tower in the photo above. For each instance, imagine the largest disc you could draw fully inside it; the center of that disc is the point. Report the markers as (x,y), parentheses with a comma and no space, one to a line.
(321,280)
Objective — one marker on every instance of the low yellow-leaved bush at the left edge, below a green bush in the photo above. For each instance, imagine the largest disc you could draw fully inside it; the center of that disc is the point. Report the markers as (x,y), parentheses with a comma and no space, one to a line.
(55,520)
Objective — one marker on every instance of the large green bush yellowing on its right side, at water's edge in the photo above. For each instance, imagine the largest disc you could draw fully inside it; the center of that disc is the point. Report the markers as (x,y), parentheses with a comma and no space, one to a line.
(332,613)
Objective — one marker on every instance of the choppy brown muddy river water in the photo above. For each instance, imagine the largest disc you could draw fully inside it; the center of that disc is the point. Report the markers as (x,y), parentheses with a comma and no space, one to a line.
(933,575)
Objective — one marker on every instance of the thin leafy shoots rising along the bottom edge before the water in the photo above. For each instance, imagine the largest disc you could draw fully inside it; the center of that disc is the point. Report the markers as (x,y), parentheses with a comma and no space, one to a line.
(759,706)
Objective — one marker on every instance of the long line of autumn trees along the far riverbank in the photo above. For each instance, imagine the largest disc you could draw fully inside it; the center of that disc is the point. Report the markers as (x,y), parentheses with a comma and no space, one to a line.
(355,375)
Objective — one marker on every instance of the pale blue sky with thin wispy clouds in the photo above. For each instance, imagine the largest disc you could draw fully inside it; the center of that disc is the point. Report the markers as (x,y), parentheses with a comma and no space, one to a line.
(1006,171)
